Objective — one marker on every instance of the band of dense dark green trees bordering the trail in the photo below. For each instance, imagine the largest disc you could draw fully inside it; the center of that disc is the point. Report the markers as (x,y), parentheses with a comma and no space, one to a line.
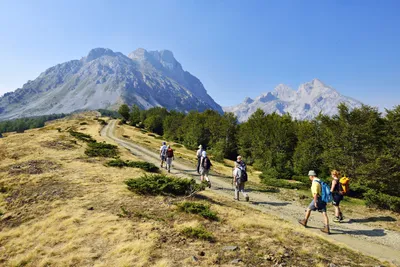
(362,143)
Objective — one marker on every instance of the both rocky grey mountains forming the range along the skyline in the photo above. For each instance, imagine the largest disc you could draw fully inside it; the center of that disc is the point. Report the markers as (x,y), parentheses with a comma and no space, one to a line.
(107,79)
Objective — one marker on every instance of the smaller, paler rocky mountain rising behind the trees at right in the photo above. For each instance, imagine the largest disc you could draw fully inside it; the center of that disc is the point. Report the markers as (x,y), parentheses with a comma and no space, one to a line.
(306,103)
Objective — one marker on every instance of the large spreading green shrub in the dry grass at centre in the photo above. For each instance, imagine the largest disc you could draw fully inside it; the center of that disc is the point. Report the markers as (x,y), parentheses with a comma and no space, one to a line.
(159,184)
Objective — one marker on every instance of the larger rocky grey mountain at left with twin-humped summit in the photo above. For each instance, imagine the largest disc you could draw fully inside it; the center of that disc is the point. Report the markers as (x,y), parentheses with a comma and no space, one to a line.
(106,79)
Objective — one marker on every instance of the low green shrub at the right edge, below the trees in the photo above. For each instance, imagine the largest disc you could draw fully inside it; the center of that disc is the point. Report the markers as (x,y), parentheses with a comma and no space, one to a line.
(382,201)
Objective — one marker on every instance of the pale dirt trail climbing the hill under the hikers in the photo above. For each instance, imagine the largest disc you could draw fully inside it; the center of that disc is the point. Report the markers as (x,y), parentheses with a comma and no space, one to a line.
(380,243)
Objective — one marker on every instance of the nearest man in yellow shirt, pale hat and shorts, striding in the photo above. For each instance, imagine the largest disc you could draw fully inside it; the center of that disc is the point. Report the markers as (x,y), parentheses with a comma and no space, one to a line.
(316,203)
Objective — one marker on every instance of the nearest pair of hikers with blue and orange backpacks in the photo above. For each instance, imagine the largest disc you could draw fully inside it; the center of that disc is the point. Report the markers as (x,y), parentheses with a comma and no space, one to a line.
(324,194)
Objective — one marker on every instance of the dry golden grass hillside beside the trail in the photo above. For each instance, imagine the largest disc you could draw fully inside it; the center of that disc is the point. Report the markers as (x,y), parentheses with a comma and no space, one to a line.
(59,207)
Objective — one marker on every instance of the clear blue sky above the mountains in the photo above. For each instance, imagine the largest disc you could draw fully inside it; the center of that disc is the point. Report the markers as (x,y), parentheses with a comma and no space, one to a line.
(236,48)
